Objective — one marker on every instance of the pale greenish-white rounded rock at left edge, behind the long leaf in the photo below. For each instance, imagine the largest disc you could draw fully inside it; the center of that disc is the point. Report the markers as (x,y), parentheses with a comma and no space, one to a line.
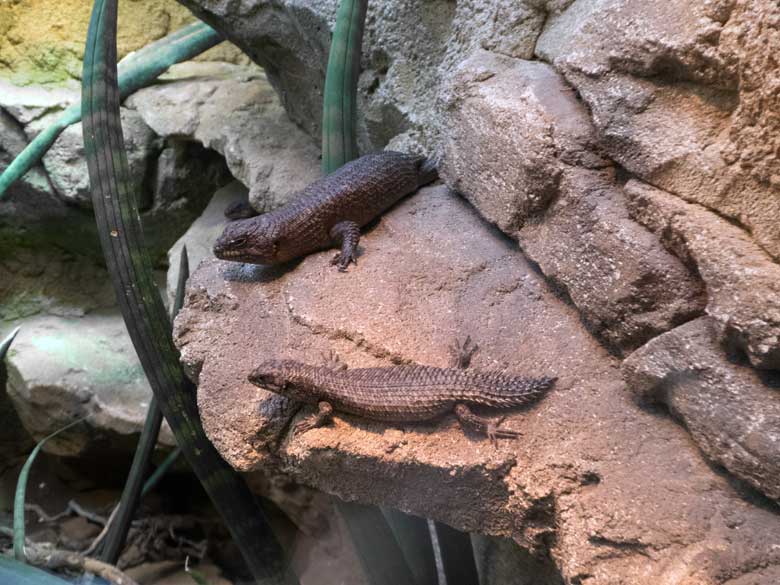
(63,369)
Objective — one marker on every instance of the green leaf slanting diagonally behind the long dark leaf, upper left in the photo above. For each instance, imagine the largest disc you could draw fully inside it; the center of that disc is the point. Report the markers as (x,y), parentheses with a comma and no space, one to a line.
(137,70)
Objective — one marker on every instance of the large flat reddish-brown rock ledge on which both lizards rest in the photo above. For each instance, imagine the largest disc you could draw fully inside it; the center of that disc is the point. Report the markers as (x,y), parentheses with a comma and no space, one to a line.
(609,493)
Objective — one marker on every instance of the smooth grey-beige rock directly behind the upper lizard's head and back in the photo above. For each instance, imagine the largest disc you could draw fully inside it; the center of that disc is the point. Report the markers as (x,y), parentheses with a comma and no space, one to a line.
(233,110)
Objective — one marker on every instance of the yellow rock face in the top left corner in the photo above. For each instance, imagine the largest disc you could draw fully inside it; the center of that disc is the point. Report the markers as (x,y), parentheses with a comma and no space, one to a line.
(42,41)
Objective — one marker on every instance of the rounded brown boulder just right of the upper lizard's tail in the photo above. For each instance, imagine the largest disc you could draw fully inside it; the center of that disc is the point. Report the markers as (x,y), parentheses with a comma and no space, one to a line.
(498,107)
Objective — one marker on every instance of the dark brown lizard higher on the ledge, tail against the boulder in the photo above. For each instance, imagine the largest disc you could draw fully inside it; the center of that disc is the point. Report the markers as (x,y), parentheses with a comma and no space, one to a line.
(329,211)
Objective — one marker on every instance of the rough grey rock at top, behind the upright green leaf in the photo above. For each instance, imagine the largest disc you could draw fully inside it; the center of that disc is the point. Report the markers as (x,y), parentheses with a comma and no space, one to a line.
(409,51)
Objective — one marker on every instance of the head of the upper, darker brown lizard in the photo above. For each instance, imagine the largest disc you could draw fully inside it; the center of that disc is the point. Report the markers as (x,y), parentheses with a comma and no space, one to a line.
(247,240)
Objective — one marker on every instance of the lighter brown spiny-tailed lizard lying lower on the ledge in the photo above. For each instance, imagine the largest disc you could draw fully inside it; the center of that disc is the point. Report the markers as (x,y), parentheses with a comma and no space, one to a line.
(400,393)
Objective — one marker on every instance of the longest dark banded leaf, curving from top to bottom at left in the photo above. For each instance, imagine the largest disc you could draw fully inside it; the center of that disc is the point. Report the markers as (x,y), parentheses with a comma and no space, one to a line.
(131,270)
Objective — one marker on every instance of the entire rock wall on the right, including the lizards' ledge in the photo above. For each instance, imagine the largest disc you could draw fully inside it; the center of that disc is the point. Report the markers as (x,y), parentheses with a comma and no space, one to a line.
(628,149)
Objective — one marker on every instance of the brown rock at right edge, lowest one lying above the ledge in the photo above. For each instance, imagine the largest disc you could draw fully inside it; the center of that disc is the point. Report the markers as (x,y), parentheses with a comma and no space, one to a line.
(731,411)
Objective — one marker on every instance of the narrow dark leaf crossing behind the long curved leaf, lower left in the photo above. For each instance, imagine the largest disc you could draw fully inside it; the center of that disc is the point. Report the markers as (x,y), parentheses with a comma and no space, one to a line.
(134,486)
